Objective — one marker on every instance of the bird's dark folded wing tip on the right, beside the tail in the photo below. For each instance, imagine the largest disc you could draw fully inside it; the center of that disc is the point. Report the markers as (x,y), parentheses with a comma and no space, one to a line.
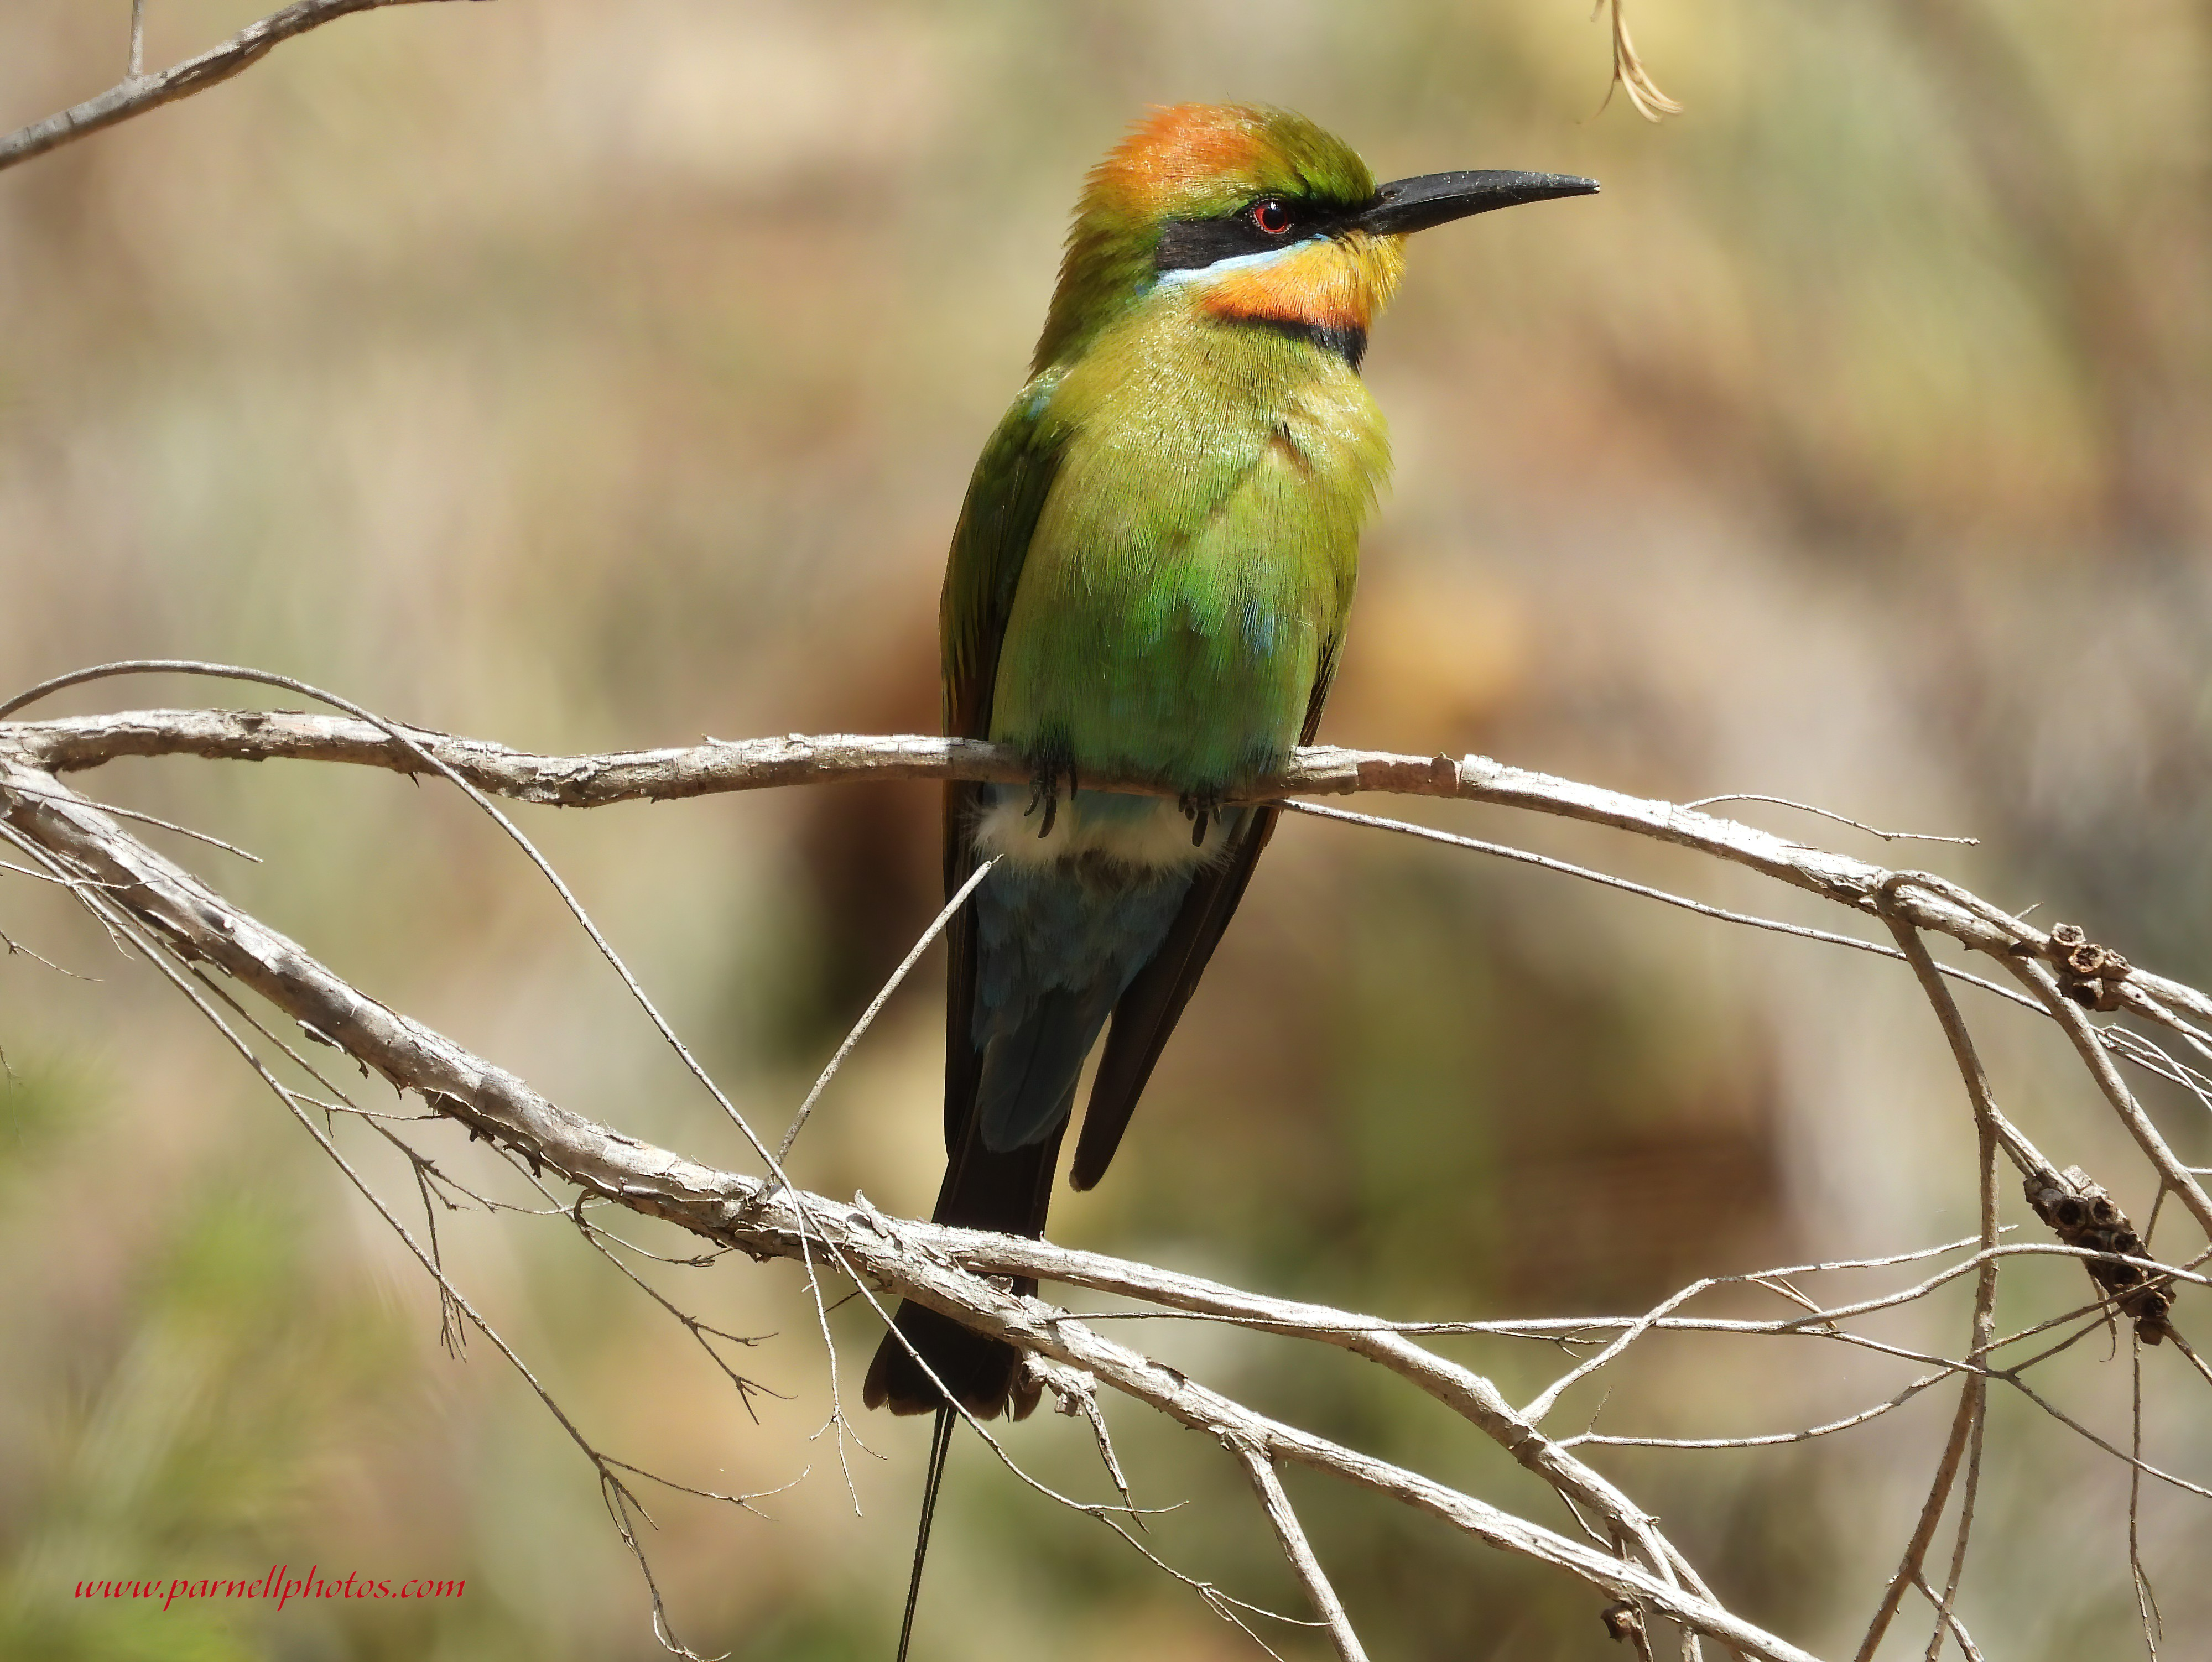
(1156,999)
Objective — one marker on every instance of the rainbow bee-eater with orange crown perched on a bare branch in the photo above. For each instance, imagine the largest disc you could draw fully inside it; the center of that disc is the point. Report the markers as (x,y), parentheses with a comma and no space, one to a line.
(1149,583)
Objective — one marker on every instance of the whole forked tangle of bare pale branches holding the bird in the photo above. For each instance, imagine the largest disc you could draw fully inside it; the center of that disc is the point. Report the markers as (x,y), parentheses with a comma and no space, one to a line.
(950,1269)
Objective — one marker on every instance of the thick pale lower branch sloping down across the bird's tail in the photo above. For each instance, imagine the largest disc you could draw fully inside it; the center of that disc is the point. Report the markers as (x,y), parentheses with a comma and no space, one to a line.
(773,1220)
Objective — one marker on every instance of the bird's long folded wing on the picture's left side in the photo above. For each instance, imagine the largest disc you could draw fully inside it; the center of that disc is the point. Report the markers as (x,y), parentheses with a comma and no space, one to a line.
(990,543)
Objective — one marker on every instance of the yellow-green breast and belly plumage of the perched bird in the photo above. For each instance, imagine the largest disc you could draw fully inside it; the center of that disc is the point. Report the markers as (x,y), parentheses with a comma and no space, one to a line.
(1189,574)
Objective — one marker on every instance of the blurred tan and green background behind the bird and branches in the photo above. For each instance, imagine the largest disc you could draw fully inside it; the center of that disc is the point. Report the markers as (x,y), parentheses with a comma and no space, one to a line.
(589,377)
